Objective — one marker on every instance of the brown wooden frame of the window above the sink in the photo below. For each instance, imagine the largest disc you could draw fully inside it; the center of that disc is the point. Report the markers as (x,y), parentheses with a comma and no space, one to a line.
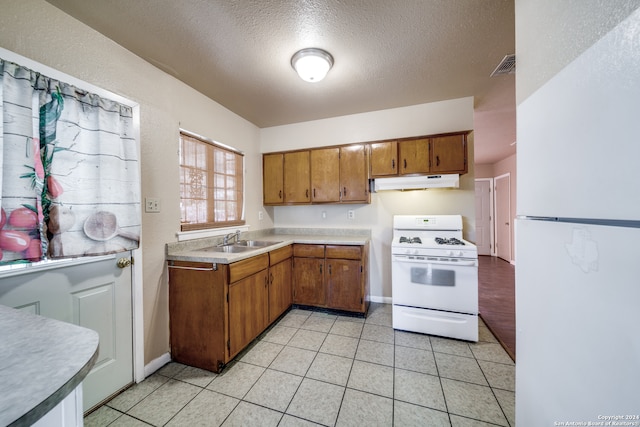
(211,224)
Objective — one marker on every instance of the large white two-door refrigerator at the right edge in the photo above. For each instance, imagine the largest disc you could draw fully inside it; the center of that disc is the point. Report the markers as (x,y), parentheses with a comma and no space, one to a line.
(578,240)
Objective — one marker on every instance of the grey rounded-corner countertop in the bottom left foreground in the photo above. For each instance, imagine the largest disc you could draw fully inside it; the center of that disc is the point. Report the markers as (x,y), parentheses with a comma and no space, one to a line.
(41,361)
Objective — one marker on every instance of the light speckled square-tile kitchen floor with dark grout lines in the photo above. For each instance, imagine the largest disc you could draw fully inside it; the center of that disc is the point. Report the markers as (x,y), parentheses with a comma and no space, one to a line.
(313,368)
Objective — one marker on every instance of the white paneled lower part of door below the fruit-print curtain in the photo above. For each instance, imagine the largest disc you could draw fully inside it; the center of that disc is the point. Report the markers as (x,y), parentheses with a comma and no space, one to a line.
(95,294)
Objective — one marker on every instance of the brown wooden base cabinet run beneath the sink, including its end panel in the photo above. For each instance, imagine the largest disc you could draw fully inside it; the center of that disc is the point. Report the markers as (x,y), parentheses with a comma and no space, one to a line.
(216,310)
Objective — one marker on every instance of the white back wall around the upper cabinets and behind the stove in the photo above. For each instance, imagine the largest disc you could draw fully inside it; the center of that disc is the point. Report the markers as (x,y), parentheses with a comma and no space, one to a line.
(424,119)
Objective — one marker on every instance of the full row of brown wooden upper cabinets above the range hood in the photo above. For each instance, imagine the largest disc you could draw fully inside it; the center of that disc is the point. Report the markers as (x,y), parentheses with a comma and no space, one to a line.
(340,174)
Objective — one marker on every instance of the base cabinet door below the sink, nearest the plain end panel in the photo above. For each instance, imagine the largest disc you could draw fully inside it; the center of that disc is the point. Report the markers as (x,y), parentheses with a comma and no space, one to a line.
(248,310)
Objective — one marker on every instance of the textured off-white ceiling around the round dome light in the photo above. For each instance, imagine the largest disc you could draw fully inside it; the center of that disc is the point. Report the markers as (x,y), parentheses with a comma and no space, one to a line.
(387,54)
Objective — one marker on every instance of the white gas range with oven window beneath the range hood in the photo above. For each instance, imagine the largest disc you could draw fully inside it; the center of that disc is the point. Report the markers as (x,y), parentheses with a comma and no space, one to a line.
(434,277)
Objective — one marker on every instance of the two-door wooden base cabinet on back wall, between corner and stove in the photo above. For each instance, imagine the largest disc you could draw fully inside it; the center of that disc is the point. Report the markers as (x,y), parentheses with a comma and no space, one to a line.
(331,276)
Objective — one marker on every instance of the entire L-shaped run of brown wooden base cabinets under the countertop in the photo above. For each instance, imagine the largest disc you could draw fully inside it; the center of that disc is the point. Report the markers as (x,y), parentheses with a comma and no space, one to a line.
(216,310)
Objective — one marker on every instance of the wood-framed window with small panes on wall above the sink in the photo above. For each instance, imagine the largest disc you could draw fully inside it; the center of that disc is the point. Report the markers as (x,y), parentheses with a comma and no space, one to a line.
(211,184)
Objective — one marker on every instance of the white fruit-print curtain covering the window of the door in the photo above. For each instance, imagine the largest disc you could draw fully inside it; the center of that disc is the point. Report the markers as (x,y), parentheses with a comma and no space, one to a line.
(69,182)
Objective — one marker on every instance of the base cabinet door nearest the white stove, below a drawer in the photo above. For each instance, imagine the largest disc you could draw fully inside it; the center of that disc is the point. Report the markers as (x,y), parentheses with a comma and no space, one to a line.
(344,284)
